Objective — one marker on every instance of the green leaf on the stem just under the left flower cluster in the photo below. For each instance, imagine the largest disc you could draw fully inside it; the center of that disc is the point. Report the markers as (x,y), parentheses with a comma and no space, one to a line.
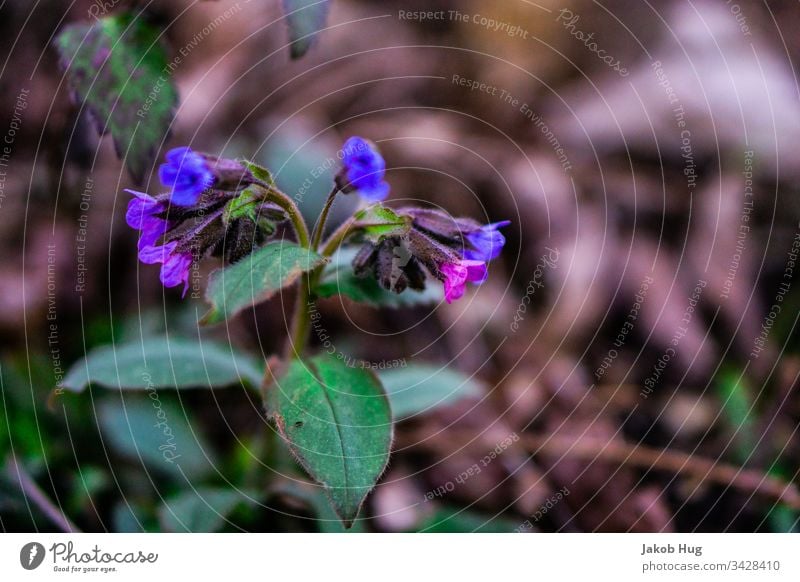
(256,278)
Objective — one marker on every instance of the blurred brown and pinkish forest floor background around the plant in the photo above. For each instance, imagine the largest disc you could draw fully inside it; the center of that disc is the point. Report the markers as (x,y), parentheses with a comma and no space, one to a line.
(635,346)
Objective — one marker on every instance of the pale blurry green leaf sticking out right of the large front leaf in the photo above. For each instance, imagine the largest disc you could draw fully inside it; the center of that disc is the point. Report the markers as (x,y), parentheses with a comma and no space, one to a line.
(422,388)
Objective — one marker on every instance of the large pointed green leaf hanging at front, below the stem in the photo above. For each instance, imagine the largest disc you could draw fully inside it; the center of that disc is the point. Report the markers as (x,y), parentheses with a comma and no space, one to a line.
(337,422)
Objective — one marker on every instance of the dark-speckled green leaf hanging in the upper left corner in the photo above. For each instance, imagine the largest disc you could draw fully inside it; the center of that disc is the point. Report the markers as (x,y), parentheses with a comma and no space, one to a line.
(118,69)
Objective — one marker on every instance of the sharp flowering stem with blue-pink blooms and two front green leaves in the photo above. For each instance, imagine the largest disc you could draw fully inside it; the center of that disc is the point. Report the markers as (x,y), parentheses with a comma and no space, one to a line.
(335,418)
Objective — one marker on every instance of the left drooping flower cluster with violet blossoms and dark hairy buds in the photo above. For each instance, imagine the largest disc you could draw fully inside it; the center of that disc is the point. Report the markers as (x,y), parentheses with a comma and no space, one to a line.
(193,220)
